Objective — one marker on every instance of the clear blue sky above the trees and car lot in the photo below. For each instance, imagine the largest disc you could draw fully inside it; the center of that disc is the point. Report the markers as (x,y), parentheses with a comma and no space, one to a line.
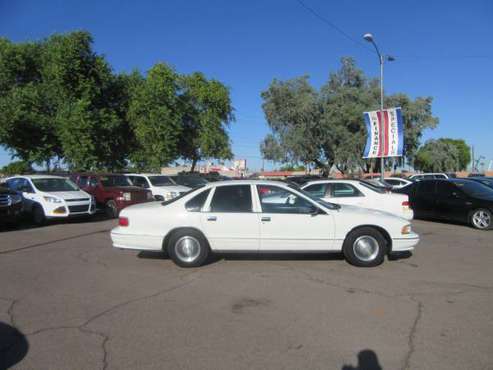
(443,49)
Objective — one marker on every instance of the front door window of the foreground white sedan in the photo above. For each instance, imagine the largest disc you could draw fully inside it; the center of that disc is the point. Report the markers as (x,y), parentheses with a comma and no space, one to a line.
(274,199)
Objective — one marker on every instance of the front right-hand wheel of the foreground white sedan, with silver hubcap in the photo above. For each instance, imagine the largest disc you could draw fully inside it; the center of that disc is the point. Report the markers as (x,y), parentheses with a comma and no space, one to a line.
(365,247)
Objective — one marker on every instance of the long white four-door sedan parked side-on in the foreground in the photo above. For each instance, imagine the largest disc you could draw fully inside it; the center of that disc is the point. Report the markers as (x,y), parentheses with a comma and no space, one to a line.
(239,216)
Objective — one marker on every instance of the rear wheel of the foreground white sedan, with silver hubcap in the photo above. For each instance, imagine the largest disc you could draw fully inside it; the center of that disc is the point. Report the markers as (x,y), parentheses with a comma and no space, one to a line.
(188,248)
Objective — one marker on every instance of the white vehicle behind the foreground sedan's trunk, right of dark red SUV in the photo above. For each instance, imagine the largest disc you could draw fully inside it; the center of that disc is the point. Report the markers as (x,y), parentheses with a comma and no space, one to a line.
(162,187)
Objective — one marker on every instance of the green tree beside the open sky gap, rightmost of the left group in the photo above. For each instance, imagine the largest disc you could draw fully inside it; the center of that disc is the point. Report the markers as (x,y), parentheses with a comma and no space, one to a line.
(207,112)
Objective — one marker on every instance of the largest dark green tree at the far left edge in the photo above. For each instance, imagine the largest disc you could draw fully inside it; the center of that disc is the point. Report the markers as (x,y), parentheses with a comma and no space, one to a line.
(59,99)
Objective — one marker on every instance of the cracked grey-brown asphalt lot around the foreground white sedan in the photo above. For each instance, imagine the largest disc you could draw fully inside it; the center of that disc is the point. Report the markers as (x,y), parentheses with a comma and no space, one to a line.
(77,303)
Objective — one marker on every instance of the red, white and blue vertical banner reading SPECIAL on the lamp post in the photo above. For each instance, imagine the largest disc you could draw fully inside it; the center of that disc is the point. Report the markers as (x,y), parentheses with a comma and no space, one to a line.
(385,136)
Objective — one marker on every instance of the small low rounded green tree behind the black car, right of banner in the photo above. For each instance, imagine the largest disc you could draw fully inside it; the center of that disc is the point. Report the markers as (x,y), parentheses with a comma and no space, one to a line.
(437,156)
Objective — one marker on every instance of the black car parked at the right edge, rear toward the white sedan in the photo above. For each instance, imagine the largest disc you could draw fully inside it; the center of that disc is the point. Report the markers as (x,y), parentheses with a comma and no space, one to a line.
(460,200)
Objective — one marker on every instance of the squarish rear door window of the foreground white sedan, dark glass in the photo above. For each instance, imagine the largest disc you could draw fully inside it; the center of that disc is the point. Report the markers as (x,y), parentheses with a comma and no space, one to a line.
(234,199)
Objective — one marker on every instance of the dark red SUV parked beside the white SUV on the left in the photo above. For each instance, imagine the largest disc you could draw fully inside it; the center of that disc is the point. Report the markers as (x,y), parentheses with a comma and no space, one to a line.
(113,192)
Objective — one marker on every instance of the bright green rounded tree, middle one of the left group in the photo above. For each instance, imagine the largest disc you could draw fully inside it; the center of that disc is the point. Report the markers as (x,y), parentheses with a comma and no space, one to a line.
(156,119)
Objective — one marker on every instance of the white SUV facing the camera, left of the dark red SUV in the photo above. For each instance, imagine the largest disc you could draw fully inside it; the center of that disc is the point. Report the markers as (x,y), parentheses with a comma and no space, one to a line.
(51,197)
